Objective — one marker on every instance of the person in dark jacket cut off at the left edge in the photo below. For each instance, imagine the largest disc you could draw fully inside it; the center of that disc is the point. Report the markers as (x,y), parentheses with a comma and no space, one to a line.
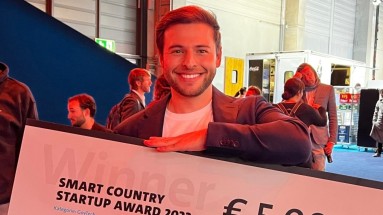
(16,105)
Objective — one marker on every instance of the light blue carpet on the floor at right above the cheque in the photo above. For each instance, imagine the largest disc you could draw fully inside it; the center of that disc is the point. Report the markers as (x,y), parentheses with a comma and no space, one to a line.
(357,162)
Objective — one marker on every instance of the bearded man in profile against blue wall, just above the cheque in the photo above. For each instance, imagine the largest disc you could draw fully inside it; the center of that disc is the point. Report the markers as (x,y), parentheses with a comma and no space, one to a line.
(81,112)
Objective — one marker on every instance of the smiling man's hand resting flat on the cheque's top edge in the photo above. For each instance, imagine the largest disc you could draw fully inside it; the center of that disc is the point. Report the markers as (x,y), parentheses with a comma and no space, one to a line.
(193,141)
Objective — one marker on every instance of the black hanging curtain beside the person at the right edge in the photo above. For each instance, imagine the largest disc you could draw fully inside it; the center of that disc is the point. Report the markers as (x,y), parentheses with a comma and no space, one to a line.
(368,99)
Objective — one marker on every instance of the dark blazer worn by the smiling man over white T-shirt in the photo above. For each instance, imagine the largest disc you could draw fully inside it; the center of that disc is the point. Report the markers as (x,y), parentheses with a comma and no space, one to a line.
(250,128)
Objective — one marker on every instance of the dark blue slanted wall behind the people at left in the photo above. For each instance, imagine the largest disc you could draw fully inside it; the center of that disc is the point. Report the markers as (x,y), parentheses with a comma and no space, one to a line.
(57,62)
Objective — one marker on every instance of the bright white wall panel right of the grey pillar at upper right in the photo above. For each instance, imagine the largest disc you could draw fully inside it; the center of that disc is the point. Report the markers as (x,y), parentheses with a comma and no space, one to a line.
(330,26)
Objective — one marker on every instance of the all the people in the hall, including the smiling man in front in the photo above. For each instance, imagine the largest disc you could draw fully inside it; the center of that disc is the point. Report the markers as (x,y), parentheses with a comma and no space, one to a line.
(188,113)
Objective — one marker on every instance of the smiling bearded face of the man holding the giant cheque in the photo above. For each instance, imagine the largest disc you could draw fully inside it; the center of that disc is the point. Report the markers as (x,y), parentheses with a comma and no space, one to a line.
(190,58)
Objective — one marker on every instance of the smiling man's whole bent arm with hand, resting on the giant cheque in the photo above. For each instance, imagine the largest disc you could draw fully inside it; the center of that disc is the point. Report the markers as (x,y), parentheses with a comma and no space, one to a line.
(272,138)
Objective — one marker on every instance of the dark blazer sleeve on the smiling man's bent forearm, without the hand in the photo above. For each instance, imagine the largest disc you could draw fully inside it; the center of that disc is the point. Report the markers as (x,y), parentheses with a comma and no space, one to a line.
(284,141)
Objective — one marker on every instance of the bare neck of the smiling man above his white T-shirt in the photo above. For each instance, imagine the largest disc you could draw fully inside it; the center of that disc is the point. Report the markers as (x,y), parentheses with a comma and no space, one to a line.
(182,104)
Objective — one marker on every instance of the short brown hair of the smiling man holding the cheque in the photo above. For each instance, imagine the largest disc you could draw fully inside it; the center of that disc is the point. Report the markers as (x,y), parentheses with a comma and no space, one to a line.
(186,15)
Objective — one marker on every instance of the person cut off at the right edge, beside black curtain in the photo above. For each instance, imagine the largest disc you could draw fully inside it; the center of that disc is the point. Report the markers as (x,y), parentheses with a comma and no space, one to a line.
(377,125)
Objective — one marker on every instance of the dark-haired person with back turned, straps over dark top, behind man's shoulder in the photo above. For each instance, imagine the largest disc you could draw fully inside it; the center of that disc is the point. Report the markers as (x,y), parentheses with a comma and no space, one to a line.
(293,105)
